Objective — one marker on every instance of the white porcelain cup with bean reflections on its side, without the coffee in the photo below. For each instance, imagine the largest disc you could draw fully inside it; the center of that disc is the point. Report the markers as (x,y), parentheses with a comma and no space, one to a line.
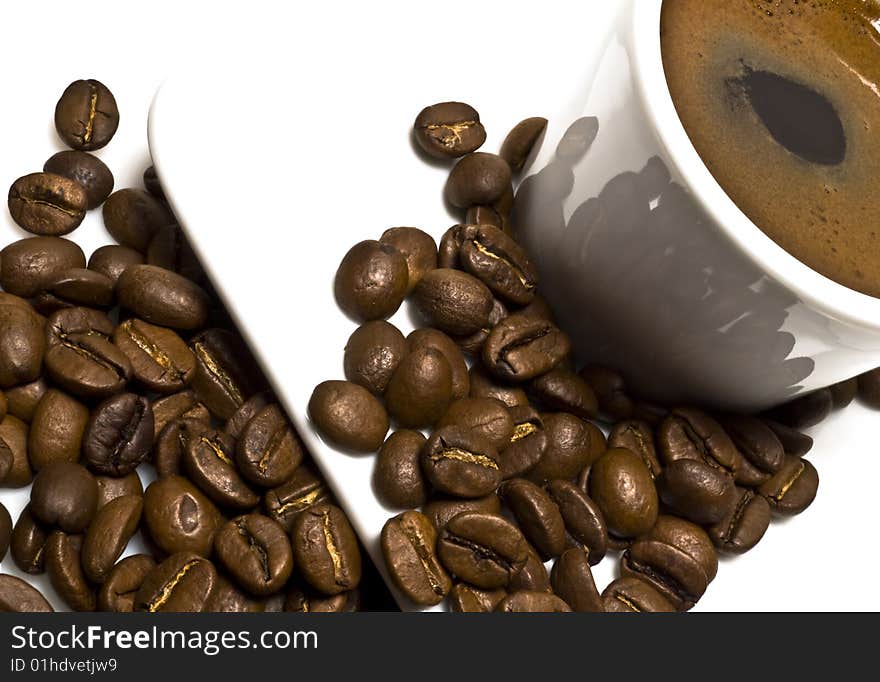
(662,276)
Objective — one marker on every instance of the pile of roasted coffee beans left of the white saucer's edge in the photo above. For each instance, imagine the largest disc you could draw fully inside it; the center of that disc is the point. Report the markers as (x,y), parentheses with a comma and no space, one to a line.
(127,364)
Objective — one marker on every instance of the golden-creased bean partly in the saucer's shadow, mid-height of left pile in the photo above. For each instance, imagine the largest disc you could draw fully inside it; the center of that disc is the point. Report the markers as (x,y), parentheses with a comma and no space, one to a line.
(225,371)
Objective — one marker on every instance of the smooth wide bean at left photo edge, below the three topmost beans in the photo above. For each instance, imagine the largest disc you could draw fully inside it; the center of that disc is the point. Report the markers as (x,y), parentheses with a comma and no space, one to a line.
(29,265)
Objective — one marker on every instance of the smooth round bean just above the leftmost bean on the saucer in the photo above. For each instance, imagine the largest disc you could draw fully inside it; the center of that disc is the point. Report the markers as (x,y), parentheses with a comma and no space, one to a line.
(372,353)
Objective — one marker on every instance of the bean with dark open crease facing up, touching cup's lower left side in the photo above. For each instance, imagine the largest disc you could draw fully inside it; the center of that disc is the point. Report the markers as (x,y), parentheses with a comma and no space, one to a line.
(521,348)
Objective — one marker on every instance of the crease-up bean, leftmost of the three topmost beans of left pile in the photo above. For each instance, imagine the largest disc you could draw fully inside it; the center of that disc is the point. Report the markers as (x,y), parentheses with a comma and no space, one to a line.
(47,204)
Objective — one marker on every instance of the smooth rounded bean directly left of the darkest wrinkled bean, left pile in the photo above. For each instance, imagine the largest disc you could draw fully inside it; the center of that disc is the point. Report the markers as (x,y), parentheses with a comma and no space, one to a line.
(57,429)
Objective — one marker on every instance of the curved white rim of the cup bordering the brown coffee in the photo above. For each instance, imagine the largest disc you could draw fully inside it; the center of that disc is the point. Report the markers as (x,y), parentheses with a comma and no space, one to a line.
(817,290)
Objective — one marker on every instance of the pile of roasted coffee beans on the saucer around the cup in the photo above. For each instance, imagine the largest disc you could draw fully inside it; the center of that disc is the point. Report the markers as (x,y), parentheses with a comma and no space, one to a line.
(496,456)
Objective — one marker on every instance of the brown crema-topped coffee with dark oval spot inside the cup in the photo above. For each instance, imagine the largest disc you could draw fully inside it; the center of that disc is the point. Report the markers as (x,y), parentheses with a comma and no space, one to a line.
(781,99)
